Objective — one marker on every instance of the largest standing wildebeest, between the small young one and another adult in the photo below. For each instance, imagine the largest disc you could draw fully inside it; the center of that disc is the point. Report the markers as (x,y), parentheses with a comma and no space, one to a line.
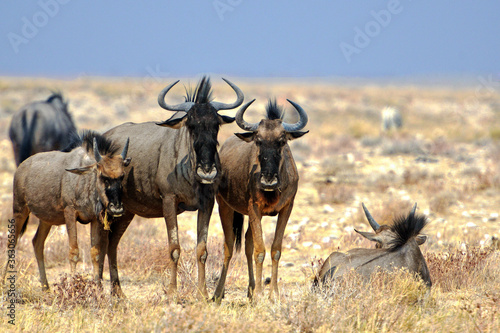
(175,168)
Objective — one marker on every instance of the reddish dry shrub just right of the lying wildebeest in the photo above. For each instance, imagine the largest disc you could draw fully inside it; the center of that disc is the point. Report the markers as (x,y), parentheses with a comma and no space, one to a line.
(457,268)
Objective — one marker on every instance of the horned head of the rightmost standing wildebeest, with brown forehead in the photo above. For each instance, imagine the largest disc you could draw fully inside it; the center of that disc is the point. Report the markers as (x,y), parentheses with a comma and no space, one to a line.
(270,136)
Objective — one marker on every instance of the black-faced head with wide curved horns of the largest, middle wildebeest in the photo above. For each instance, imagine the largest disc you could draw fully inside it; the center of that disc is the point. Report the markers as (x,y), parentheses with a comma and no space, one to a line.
(199,114)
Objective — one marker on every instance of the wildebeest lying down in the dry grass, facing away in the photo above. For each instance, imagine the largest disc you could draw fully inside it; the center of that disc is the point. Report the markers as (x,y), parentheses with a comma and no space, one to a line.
(397,247)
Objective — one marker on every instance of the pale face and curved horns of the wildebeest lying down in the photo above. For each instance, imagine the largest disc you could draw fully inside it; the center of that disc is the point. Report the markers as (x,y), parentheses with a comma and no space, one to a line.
(385,235)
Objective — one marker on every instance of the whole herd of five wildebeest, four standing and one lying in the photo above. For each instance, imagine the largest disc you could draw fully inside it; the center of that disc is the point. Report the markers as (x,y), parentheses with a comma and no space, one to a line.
(161,169)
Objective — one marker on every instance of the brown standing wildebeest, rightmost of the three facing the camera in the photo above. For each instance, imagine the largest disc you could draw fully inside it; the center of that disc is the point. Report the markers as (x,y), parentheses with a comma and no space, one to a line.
(259,178)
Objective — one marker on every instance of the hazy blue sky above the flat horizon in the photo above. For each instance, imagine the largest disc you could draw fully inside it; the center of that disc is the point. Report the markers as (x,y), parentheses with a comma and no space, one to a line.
(280,38)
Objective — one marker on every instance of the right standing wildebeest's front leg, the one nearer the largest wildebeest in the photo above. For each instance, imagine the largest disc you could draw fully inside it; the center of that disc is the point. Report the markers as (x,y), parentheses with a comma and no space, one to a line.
(259,251)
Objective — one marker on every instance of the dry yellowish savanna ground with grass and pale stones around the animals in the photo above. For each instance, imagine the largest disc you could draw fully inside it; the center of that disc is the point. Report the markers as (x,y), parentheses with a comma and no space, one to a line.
(446,158)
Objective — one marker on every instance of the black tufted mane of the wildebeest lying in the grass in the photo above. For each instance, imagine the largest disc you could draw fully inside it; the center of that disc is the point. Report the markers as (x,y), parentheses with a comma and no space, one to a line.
(405,228)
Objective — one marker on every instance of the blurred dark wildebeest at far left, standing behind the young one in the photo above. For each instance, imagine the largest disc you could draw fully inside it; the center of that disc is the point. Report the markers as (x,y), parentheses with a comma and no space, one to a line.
(41,126)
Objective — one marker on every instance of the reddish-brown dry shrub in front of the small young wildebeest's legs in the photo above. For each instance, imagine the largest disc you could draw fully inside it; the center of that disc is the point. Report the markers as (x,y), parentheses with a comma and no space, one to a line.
(74,290)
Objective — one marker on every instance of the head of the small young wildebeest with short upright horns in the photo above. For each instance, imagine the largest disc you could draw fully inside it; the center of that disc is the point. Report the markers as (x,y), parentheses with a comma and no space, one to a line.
(110,170)
